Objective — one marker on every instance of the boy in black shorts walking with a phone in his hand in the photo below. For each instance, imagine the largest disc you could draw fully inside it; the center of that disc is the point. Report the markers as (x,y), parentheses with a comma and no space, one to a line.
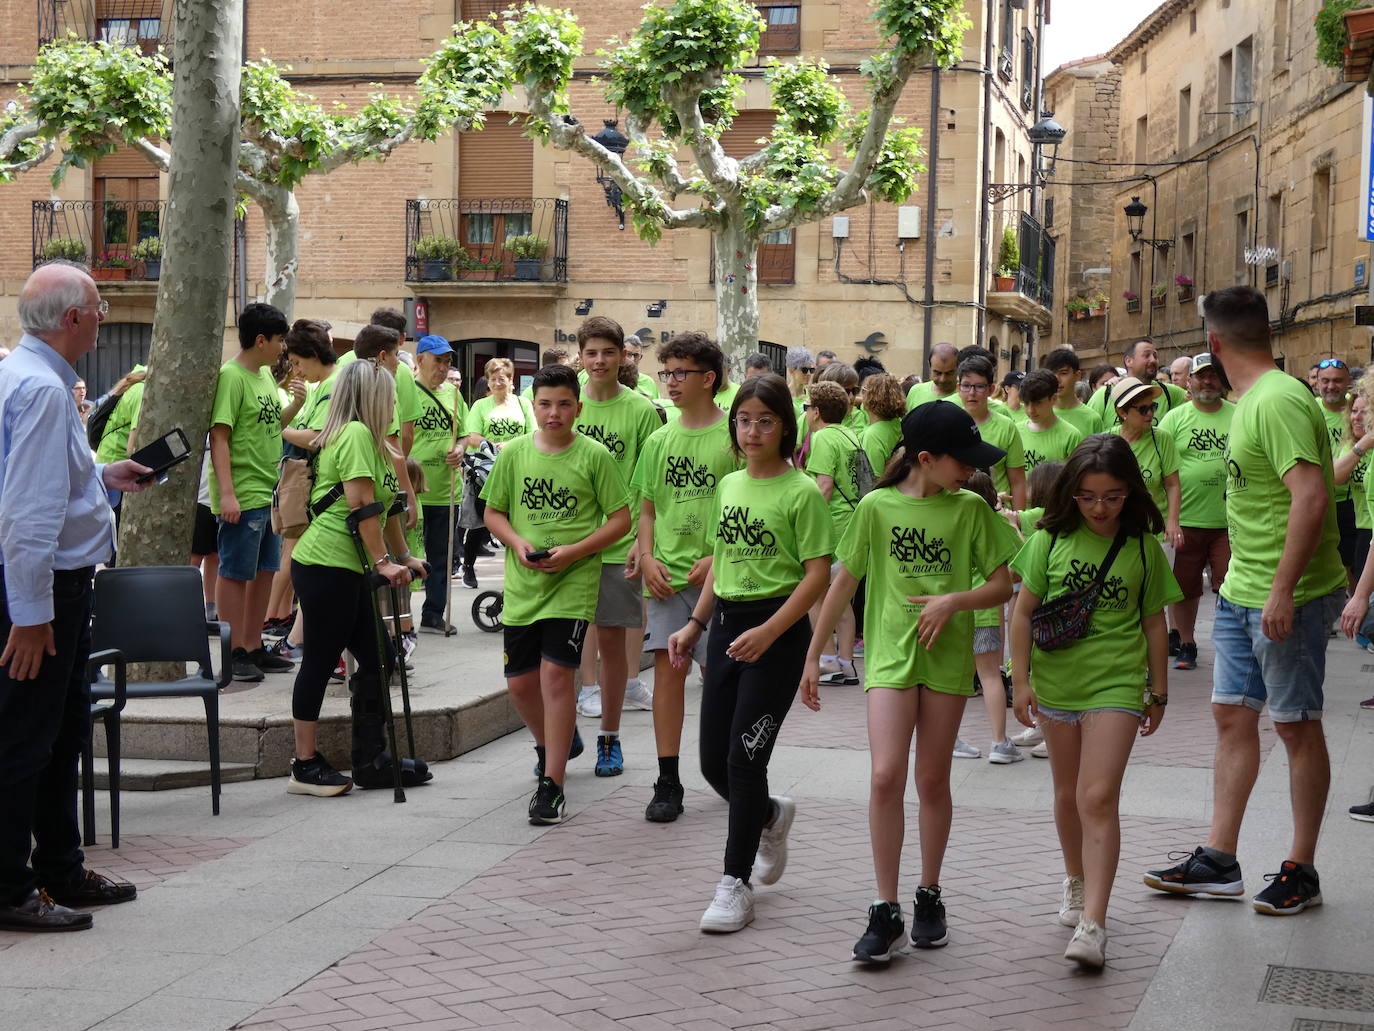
(556,501)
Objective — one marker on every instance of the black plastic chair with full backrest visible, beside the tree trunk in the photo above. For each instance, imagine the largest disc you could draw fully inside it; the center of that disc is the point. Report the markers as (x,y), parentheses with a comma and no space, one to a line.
(157,615)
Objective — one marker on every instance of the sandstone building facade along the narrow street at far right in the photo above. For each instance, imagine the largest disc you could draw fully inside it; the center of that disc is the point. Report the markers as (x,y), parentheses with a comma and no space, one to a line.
(1247,155)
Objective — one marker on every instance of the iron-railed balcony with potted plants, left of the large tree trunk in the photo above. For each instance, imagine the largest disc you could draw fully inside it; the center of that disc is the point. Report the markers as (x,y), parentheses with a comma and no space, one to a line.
(105,236)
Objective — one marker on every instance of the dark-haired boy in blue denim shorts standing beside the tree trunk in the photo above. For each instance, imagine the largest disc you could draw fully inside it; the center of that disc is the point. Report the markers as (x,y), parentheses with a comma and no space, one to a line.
(245,447)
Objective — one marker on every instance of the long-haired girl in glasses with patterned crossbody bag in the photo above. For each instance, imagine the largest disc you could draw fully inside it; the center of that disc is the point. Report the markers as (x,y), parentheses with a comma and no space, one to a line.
(1093,696)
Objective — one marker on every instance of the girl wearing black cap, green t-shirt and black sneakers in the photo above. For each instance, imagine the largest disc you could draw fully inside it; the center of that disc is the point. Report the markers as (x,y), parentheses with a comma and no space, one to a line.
(920,540)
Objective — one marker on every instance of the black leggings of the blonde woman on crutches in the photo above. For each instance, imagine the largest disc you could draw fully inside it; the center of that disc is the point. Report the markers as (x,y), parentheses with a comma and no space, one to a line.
(339,615)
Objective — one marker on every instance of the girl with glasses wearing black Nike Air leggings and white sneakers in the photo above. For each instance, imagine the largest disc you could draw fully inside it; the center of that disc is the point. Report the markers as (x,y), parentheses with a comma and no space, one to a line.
(770,566)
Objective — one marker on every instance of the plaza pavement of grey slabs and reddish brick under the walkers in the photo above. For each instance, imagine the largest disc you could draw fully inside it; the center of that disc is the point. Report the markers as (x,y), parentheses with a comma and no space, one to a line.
(451,912)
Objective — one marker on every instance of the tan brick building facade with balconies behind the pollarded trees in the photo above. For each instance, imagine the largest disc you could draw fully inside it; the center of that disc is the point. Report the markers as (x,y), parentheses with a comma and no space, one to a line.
(897,284)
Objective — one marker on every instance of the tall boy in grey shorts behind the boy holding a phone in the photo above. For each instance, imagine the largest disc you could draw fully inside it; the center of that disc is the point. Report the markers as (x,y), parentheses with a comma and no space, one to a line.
(622,420)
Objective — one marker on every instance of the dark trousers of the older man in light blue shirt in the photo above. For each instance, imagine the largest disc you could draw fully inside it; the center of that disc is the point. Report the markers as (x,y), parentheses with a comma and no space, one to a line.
(43,727)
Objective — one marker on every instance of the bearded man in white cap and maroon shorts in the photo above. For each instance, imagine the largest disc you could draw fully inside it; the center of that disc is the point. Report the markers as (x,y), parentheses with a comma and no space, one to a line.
(1200,431)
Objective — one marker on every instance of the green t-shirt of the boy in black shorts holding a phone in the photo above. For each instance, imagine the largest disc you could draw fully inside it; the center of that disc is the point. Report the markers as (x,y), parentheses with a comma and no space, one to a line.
(552,501)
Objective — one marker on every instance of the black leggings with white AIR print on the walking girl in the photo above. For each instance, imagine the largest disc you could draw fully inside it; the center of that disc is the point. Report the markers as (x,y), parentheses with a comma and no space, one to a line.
(743,709)
